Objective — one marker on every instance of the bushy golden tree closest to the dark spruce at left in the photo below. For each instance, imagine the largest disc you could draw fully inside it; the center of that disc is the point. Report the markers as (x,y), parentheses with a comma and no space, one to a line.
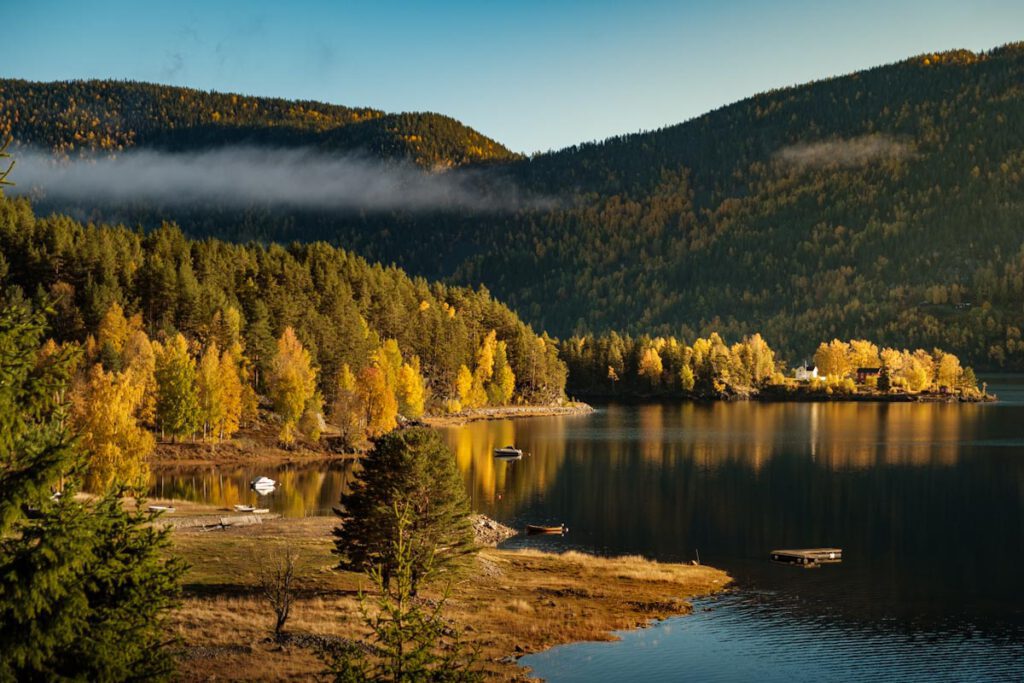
(104,406)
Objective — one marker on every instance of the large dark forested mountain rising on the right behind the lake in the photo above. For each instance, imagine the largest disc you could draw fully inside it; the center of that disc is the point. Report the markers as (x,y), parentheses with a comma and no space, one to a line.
(883,204)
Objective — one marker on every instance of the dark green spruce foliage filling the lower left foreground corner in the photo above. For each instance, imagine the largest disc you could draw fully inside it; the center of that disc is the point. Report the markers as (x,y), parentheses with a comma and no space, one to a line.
(86,588)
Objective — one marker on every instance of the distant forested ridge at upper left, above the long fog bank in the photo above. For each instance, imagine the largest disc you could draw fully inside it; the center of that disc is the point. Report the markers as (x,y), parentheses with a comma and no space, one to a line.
(84,117)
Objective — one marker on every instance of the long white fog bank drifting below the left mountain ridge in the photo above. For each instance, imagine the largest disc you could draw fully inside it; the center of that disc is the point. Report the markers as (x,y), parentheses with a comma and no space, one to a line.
(243,177)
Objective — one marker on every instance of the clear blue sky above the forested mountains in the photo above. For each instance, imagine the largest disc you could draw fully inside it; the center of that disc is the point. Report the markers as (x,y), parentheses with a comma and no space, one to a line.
(533,75)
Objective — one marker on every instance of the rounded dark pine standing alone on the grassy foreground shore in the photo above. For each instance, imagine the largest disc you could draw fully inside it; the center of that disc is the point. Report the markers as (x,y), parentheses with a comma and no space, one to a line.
(414,469)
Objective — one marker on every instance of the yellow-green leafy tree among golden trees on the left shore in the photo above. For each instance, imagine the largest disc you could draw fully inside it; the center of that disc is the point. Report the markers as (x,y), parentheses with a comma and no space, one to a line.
(178,397)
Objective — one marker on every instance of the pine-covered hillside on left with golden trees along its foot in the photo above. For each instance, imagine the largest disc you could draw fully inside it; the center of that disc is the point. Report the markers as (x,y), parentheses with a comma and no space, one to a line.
(313,329)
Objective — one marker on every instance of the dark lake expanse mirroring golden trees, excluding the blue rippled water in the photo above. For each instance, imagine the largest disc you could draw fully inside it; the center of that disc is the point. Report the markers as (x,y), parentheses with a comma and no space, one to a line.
(925,499)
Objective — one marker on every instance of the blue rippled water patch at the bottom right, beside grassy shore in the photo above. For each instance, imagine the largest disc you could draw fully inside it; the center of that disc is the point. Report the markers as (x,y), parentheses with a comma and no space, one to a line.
(745,636)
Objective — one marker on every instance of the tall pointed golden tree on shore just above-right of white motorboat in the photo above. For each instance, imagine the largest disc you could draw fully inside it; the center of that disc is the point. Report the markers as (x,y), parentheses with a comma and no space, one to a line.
(292,382)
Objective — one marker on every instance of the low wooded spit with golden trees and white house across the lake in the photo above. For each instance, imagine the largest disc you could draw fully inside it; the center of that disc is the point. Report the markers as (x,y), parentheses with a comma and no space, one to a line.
(625,367)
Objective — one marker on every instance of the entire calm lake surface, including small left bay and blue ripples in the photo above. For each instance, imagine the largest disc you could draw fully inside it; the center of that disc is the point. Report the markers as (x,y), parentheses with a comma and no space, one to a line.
(927,502)
